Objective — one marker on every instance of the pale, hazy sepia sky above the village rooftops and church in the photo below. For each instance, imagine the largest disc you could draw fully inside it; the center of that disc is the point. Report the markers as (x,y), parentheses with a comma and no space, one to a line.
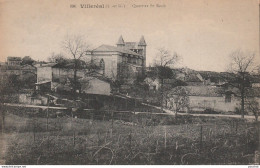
(203,32)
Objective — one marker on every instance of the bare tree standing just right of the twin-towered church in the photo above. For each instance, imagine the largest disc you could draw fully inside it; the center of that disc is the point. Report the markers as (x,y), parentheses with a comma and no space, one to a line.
(165,60)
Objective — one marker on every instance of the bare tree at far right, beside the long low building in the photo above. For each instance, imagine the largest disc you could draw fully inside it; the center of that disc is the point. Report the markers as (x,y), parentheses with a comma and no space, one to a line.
(242,63)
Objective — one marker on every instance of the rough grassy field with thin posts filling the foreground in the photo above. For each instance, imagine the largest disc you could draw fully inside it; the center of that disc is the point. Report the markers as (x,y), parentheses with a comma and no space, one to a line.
(139,140)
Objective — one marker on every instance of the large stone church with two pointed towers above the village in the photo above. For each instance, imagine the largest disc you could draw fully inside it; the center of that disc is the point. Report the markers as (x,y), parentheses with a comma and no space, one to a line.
(124,62)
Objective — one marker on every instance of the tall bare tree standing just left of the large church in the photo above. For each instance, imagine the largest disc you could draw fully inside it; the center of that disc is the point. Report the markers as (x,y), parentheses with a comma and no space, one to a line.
(76,48)
